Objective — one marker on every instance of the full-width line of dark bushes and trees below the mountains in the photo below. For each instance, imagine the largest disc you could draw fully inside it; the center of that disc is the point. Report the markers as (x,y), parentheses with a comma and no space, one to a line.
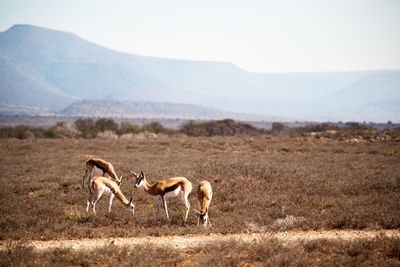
(108,128)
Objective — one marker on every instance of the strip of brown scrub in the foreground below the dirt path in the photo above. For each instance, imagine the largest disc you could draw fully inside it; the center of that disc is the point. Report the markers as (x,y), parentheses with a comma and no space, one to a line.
(268,252)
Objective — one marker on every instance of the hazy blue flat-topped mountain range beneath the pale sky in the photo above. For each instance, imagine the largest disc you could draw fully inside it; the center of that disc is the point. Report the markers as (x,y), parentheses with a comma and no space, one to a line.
(44,71)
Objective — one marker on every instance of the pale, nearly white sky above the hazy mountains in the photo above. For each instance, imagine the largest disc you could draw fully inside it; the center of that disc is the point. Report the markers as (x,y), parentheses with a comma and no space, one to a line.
(258,36)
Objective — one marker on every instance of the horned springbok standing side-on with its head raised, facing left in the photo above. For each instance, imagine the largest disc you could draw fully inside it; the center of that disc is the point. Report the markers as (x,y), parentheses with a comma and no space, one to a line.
(171,187)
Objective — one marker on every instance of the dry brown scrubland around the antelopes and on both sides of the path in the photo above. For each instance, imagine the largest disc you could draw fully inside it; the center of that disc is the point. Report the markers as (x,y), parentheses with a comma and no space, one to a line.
(260,183)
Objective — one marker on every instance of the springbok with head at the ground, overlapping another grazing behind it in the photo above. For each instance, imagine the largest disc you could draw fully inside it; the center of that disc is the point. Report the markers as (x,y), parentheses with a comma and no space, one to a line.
(102,185)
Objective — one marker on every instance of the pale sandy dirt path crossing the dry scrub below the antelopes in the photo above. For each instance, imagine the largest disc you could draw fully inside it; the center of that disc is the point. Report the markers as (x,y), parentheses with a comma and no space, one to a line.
(183,242)
